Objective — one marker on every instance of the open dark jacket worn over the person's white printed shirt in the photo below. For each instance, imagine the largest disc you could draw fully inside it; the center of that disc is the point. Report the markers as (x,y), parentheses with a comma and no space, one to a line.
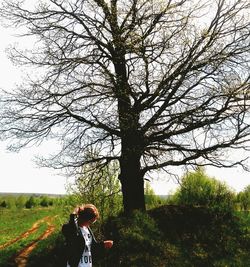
(75,242)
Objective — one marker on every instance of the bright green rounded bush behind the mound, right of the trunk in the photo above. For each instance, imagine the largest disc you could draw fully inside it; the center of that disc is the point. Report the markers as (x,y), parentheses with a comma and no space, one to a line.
(201,190)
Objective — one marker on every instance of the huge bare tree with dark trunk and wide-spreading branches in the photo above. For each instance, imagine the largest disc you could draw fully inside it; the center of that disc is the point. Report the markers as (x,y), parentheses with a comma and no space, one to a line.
(151,84)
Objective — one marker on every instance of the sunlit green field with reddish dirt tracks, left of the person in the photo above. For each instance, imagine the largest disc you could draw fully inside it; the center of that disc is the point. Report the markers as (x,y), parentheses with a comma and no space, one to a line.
(22,230)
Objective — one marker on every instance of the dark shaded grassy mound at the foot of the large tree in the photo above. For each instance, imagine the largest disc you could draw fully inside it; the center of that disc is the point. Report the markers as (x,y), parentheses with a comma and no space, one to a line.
(177,236)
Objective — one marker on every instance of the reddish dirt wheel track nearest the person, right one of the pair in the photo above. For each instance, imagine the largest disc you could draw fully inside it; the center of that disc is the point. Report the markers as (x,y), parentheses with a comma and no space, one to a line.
(22,257)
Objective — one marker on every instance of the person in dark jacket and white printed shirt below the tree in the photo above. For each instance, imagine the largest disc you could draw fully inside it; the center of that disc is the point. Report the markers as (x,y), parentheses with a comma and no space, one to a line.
(80,241)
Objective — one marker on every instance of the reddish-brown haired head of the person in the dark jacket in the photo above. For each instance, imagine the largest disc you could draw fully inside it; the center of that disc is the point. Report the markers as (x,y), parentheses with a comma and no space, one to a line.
(87,213)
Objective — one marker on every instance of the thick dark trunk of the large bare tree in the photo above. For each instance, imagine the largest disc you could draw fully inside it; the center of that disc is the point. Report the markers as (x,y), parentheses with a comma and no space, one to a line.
(131,176)
